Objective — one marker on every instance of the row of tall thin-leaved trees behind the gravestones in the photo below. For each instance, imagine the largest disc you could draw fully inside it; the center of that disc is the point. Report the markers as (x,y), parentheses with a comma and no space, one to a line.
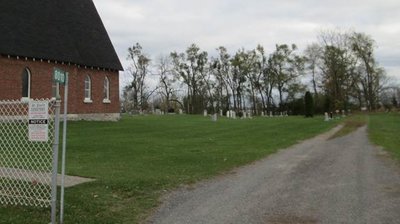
(340,69)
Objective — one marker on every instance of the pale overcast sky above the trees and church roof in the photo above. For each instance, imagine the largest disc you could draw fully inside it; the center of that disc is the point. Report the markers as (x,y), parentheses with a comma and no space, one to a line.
(162,26)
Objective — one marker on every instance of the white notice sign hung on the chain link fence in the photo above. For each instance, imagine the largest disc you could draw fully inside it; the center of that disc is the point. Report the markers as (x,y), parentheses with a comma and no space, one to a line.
(38,121)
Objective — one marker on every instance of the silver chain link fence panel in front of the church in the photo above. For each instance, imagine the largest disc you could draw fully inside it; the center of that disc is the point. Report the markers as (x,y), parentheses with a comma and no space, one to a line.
(25,165)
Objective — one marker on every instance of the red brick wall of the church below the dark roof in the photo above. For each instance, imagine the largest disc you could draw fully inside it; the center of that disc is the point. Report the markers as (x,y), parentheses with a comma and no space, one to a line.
(41,84)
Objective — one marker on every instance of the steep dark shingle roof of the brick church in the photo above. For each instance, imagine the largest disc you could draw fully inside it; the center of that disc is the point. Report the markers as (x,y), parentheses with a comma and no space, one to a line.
(61,30)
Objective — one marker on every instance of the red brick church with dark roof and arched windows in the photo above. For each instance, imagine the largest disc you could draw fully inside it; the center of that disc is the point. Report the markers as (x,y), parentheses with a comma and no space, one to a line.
(37,36)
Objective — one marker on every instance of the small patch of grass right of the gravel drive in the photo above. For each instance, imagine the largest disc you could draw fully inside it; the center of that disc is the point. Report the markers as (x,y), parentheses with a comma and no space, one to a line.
(384,130)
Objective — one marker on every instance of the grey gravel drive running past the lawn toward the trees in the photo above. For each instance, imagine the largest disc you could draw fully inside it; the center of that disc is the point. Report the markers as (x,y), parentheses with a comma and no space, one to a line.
(344,180)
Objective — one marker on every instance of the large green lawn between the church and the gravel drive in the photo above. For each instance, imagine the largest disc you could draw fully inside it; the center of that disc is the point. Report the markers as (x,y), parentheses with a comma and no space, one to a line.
(138,159)
